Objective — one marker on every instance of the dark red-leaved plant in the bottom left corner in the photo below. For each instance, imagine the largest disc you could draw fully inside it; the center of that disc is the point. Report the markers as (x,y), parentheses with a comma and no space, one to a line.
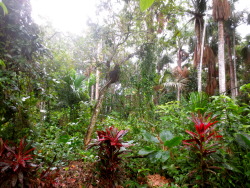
(18,169)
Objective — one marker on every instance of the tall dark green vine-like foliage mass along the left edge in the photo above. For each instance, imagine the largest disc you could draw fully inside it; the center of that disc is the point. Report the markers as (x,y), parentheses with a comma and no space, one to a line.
(20,46)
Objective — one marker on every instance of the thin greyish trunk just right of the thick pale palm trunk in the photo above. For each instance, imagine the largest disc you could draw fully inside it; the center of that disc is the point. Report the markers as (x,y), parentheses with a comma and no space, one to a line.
(231,68)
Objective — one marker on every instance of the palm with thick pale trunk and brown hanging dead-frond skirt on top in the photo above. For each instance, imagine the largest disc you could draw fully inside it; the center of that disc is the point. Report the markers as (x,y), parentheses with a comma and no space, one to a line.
(221,12)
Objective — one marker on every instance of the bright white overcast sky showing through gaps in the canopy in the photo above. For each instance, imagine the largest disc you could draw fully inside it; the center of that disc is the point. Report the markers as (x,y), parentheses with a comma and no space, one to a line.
(71,16)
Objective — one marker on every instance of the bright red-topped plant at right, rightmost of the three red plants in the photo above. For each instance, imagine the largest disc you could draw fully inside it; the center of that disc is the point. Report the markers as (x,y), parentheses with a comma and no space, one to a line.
(204,142)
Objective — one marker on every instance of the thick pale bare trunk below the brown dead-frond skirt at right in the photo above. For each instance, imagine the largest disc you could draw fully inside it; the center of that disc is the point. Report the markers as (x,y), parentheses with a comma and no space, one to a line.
(221,58)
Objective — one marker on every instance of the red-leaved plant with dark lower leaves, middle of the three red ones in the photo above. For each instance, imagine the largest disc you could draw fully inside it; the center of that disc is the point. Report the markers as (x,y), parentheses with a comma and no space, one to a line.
(110,147)
